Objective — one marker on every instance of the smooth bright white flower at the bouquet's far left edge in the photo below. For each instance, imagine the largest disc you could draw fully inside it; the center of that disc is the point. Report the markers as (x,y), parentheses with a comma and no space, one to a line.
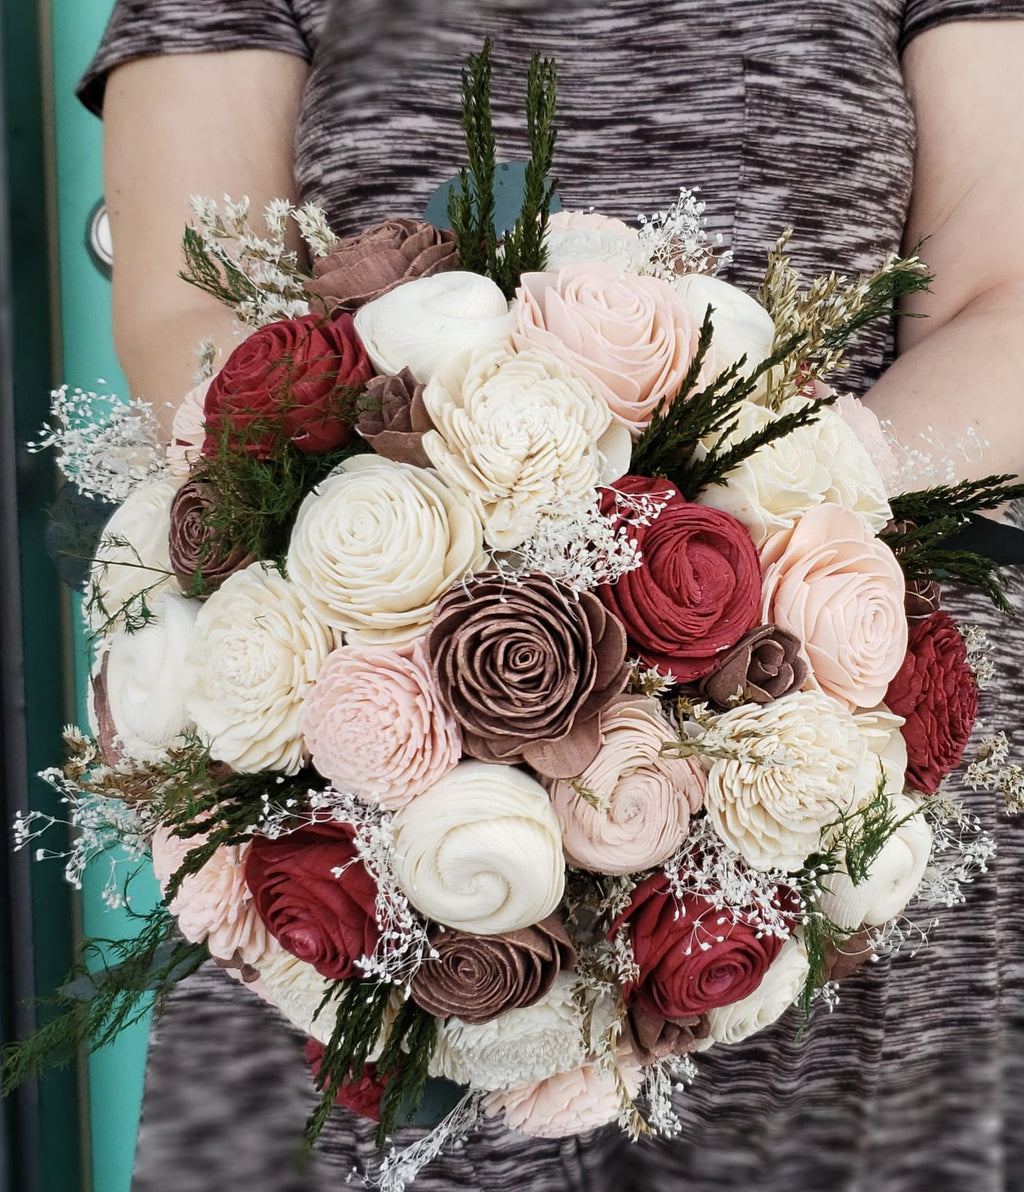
(146,679)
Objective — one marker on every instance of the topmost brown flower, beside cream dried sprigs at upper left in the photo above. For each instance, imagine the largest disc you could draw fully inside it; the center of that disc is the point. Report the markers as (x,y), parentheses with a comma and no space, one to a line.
(364,268)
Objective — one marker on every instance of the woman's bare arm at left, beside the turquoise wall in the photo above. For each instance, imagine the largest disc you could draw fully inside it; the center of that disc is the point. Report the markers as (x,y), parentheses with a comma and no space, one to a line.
(175,127)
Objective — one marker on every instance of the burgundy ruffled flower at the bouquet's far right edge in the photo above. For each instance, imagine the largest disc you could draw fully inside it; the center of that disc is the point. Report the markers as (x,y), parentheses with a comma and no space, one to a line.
(936,694)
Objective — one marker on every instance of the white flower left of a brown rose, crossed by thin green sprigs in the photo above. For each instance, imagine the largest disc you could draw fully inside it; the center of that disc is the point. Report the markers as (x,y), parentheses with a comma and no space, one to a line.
(133,556)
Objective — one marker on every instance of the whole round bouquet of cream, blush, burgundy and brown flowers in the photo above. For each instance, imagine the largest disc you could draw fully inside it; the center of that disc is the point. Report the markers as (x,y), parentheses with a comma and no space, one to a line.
(522,668)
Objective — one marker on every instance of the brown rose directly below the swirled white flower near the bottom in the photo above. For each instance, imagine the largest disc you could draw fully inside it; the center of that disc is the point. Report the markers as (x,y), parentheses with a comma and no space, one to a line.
(479,978)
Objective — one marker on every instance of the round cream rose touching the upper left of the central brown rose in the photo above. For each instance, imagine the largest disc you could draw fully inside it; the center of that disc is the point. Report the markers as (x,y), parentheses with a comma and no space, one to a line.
(377,545)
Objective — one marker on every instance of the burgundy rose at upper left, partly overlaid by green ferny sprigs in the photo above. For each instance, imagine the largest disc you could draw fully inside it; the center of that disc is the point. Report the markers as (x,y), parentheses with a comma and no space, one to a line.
(288,382)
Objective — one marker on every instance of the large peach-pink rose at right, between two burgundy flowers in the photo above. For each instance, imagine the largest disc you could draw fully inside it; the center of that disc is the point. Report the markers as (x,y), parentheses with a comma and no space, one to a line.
(841,592)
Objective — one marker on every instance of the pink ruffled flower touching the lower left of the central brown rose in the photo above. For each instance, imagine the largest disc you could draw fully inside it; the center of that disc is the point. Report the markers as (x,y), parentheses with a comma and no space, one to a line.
(375,724)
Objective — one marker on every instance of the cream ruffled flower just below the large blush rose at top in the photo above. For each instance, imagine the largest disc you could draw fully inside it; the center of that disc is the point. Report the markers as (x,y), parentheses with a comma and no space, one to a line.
(519,434)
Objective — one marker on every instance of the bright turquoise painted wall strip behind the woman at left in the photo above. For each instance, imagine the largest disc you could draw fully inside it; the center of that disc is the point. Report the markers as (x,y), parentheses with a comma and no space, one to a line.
(115,1076)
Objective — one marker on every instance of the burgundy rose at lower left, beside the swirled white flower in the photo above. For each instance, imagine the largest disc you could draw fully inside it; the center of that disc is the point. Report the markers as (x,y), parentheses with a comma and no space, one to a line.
(315,897)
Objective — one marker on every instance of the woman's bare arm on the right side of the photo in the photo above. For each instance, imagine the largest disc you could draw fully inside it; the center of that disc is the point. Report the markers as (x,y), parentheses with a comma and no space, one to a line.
(963,369)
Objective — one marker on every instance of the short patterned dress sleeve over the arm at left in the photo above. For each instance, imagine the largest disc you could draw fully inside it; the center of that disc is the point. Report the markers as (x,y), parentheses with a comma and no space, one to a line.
(140,29)
